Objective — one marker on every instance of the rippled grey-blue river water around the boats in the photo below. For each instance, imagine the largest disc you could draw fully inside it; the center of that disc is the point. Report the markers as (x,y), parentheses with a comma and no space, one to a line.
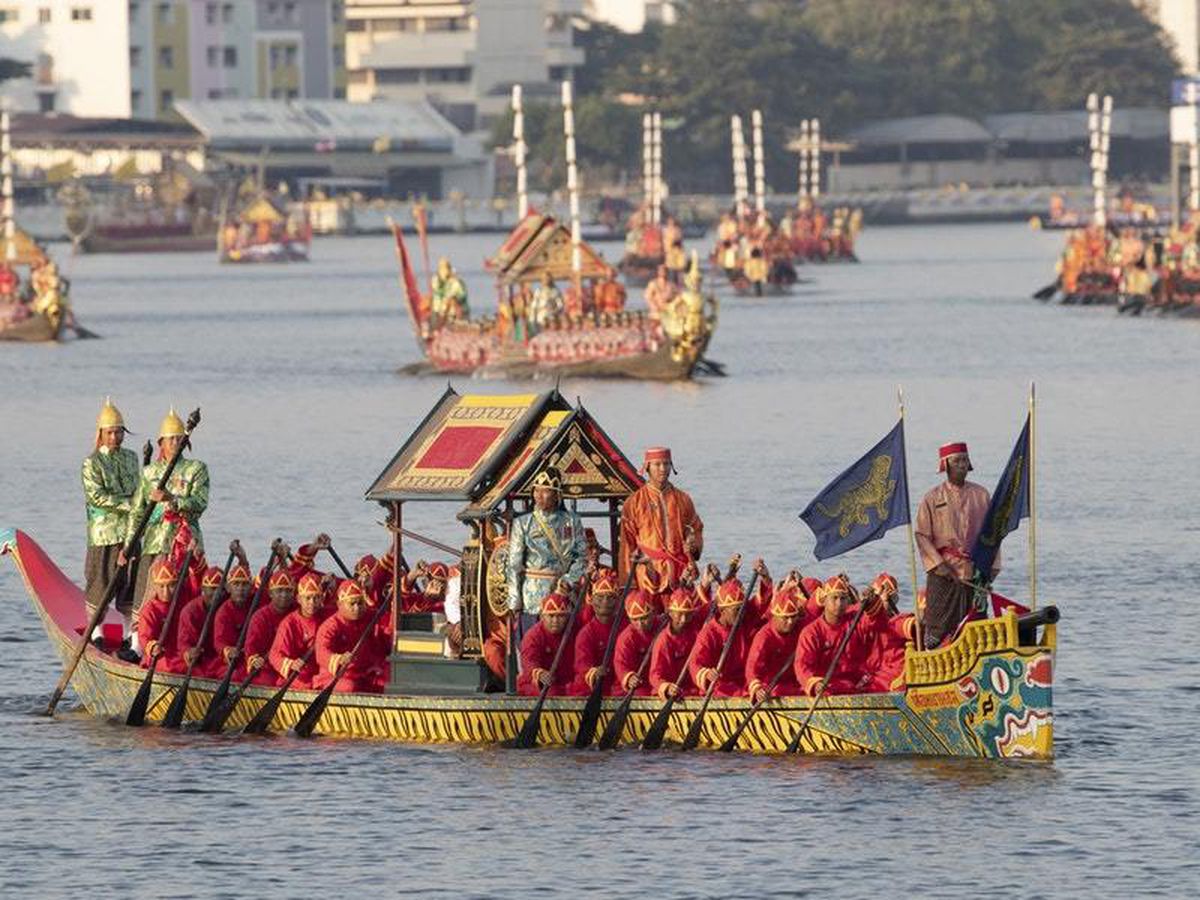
(295,369)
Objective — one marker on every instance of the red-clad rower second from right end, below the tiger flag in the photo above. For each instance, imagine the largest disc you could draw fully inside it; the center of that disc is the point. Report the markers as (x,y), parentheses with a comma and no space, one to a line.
(819,643)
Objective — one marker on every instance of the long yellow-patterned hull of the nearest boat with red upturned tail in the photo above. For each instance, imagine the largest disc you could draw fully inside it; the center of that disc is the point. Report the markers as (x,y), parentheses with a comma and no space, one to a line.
(986,697)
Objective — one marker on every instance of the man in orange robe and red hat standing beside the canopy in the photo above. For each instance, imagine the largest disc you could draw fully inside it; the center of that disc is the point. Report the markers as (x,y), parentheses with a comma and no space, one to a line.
(661,521)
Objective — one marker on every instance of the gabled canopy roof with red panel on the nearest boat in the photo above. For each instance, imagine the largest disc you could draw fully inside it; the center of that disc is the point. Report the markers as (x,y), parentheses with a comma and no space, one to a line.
(485,451)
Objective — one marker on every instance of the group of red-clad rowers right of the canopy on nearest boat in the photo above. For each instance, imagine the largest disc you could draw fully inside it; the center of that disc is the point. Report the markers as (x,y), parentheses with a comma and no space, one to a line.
(686,640)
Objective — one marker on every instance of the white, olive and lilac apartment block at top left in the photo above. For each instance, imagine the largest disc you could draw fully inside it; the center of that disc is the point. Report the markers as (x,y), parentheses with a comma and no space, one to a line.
(136,58)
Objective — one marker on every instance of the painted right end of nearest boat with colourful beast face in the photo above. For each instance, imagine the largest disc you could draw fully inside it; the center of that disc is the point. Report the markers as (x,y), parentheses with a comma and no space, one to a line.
(989,694)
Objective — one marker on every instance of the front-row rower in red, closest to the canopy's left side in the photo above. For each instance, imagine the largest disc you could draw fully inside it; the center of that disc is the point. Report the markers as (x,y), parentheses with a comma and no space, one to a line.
(367,673)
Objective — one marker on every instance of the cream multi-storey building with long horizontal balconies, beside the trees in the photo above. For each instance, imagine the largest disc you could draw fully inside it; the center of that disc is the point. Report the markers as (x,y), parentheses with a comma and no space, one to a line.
(464,56)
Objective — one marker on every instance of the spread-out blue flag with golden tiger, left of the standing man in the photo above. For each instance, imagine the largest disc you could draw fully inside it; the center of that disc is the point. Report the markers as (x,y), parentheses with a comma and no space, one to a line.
(865,502)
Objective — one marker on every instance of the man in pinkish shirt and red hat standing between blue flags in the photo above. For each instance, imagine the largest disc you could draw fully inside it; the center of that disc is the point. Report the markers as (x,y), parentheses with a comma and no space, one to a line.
(949,521)
